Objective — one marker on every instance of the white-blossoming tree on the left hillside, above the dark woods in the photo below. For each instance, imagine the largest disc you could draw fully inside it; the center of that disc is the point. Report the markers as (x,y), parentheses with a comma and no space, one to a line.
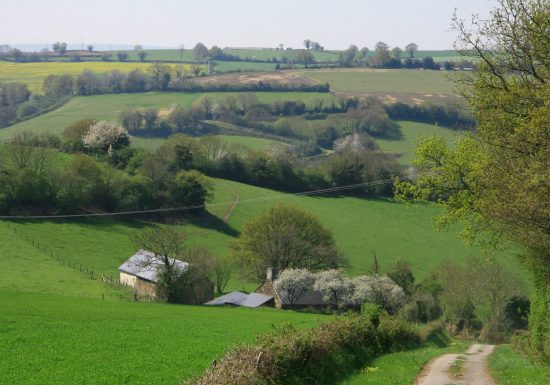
(106,136)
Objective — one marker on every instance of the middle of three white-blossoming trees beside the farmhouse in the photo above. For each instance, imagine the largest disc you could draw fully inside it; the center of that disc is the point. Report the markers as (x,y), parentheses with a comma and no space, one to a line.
(334,286)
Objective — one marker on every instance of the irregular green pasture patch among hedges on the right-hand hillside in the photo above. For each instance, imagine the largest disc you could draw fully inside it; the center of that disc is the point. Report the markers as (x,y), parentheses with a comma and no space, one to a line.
(412,132)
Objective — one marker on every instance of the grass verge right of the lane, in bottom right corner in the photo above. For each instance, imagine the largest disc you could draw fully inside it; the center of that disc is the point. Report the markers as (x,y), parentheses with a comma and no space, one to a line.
(509,367)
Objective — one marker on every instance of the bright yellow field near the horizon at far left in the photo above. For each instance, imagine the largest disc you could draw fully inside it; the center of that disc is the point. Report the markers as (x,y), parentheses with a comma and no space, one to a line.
(34,73)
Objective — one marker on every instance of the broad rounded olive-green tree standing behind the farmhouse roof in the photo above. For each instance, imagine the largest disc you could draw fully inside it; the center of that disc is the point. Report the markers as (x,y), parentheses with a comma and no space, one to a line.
(285,237)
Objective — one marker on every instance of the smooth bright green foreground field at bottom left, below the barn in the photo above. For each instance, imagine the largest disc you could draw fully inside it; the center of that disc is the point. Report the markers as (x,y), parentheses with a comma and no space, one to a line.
(57,340)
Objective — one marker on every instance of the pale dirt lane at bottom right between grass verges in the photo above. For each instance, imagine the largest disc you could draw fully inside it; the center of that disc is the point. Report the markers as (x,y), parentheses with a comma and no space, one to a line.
(469,368)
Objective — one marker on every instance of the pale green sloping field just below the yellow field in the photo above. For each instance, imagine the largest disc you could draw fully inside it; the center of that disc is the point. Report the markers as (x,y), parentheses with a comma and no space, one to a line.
(108,107)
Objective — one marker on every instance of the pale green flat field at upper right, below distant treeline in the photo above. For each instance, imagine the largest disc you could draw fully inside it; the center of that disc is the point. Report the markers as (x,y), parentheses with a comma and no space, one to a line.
(390,81)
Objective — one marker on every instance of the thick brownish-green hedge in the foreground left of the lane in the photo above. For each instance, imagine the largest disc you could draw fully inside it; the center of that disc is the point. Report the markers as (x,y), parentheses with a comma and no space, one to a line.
(324,354)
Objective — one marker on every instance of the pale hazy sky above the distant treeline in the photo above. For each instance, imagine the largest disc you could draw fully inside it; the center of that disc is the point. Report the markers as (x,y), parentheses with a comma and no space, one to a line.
(335,24)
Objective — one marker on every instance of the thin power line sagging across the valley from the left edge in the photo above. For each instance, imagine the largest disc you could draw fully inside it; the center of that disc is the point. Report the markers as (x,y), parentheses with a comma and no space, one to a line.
(186,208)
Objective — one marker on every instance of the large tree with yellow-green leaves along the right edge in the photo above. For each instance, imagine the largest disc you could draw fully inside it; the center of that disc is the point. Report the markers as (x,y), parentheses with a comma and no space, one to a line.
(497,179)
